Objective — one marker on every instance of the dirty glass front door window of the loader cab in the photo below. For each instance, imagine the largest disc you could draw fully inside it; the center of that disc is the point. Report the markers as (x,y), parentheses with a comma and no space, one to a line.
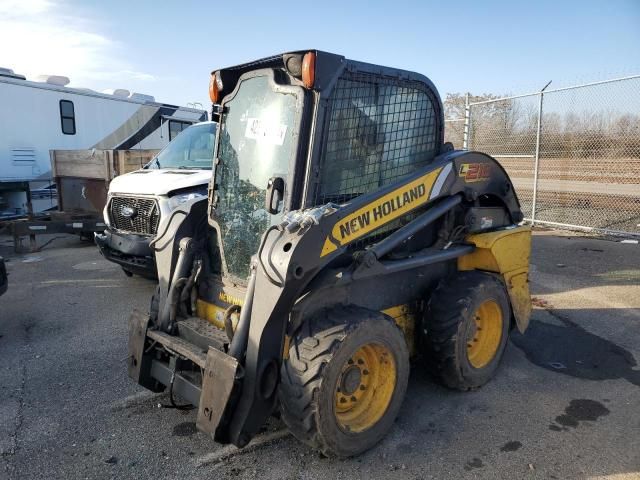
(257,142)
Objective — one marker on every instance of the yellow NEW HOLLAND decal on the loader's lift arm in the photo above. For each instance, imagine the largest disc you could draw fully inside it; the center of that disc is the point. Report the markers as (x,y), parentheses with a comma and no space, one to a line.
(381,211)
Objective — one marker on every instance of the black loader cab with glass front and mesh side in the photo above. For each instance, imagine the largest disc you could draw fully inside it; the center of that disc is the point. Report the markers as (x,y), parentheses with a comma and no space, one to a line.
(309,128)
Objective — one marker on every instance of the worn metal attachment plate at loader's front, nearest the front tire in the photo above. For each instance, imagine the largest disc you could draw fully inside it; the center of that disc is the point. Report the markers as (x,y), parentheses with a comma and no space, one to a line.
(218,380)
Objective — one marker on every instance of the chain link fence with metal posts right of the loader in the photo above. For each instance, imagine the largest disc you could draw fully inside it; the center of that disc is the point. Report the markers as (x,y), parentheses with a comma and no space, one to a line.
(572,153)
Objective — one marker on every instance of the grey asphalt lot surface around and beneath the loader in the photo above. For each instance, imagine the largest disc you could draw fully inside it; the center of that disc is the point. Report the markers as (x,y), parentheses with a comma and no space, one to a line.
(564,403)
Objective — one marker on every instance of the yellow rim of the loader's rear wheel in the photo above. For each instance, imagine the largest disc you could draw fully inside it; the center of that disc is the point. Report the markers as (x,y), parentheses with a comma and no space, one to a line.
(485,334)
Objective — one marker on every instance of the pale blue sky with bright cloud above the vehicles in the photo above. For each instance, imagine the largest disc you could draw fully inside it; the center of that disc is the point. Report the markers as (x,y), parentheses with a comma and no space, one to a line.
(168,49)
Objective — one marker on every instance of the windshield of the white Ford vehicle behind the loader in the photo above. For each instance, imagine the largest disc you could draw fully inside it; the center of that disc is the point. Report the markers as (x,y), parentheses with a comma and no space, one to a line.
(192,148)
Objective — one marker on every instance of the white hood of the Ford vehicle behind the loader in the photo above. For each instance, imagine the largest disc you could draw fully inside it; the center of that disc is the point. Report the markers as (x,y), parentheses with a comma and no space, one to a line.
(158,181)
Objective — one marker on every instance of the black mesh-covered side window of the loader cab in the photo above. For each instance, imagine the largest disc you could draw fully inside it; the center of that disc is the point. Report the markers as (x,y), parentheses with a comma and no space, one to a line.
(379,131)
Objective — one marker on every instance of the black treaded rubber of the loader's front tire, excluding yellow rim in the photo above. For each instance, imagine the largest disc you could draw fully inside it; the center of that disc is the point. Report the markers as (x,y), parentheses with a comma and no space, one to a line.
(308,377)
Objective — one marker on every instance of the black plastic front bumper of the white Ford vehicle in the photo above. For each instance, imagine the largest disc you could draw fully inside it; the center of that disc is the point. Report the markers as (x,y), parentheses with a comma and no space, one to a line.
(131,252)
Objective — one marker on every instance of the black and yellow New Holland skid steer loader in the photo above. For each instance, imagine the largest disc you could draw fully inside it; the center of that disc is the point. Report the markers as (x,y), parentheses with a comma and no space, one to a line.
(341,240)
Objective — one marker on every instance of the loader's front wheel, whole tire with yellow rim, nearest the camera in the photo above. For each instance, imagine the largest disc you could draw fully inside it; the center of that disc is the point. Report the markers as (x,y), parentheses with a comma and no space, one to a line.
(344,380)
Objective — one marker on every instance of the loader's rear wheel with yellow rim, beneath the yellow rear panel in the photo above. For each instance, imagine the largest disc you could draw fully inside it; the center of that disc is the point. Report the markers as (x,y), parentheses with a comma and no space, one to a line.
(465,329)
